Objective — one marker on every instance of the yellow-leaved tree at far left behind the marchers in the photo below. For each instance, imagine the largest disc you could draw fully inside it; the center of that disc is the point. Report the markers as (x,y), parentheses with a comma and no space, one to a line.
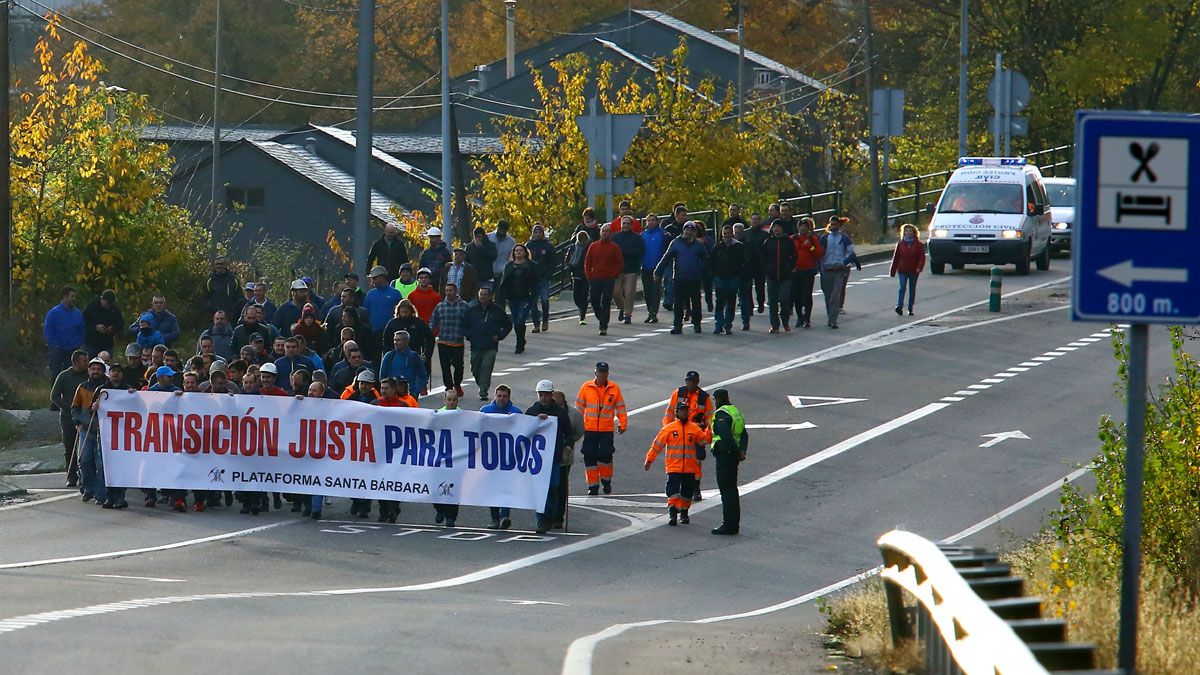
(89,202)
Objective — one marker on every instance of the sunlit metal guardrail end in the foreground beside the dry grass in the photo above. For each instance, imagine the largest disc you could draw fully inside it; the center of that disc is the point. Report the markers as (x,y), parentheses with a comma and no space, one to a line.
(970,614)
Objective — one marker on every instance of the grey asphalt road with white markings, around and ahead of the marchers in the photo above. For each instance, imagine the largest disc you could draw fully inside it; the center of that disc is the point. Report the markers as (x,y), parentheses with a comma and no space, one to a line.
(83,589)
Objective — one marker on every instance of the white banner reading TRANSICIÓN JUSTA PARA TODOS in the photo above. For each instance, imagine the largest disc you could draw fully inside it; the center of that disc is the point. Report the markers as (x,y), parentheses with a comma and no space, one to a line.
(326,447)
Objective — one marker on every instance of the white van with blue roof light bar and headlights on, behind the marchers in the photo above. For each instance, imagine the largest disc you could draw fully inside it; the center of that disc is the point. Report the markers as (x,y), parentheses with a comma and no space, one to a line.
(994,211)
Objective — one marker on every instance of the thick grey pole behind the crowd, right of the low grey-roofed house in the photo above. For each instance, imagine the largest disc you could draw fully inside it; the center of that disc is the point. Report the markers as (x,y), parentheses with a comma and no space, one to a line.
(363,142)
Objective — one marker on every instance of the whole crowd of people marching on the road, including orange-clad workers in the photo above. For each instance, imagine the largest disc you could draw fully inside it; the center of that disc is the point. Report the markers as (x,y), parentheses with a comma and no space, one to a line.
(376,345)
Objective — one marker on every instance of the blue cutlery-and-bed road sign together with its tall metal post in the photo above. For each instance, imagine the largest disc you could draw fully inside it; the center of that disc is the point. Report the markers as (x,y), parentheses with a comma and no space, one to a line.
(1136,260)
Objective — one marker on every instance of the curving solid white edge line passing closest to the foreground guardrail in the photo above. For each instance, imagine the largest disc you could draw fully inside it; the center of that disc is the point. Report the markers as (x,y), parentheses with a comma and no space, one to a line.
(581,653)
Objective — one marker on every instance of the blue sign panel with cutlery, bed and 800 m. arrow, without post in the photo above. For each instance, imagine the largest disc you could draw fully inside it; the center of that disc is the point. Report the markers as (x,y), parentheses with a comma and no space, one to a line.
(1137,248)
